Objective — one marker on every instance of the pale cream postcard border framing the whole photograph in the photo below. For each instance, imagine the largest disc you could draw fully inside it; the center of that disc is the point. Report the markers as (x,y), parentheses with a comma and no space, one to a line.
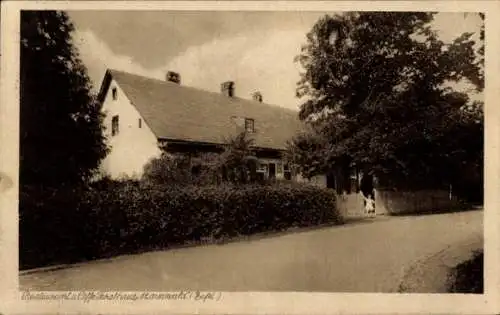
(253,302)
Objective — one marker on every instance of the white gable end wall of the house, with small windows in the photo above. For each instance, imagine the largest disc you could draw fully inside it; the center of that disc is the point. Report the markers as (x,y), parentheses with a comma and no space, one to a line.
(132,147)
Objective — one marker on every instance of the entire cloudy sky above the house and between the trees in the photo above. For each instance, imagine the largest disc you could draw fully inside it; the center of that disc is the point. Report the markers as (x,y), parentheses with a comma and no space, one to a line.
(256,50)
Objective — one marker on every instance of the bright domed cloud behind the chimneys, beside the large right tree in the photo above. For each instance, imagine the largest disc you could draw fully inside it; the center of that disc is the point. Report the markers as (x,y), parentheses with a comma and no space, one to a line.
(255,62)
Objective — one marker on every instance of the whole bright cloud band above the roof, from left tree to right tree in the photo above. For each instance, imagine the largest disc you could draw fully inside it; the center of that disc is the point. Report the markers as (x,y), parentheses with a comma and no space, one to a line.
(262,62)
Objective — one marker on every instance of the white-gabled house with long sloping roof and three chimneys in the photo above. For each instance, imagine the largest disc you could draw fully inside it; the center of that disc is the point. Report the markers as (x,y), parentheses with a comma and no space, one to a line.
(144,114)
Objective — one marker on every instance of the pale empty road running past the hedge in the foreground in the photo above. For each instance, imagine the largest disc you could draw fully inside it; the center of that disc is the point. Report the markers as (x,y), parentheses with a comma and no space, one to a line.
(358,257)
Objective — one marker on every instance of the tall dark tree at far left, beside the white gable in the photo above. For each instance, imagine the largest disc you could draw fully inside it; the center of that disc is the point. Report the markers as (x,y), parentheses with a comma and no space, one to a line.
(61,137)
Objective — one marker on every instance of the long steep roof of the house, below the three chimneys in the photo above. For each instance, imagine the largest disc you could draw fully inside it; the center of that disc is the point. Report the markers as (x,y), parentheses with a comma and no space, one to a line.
(176,112)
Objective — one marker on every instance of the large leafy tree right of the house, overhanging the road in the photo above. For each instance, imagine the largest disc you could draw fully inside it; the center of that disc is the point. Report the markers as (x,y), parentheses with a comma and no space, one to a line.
(375,95)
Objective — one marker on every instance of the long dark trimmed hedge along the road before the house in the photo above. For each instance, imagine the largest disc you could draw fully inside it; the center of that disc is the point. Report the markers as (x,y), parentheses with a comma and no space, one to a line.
(113,218)
